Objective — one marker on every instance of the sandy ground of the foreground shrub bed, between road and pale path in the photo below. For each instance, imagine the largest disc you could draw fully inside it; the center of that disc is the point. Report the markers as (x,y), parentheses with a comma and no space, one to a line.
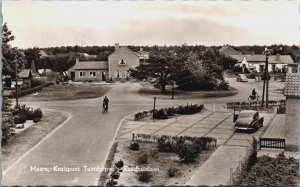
(161,160)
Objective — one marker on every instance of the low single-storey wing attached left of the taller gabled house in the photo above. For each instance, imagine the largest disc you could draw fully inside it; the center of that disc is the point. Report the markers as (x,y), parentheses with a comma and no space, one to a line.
(89,70)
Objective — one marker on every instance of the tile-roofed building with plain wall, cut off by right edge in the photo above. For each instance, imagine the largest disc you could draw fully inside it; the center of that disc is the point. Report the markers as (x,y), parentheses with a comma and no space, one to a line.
(292,126)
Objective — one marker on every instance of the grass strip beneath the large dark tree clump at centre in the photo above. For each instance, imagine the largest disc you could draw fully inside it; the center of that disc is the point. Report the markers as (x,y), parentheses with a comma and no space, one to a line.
(149,91)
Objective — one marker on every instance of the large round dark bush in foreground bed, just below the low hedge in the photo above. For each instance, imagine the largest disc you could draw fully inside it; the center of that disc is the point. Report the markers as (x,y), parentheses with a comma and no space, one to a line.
(187,153)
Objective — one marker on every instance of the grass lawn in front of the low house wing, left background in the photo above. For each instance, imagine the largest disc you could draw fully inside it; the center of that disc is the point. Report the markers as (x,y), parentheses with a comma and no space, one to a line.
(68,92)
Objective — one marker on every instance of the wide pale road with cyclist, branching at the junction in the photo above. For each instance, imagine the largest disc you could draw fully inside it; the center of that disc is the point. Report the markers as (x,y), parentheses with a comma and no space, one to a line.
(84,141)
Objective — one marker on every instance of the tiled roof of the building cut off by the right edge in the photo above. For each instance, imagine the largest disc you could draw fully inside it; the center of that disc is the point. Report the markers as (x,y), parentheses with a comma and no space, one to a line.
(292,85)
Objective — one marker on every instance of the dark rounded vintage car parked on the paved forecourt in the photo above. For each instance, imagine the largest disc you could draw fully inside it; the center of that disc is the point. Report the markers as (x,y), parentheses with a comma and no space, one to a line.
(248,120)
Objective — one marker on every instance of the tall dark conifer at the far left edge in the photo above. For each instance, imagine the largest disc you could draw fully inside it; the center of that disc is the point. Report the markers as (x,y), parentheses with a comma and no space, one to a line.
(11,55)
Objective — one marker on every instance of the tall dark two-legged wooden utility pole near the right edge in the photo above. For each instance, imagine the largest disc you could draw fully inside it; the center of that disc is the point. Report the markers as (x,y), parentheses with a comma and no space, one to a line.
(266,80)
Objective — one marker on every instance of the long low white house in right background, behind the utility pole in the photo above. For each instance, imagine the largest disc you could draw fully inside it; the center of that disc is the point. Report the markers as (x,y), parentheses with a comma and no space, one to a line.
(277,63)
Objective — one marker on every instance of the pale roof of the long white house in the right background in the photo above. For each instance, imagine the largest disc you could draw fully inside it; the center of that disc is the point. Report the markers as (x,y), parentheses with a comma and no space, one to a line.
(273,59)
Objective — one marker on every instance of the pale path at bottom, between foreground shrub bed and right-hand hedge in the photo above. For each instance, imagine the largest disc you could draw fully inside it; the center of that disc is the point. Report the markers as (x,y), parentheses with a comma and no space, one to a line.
(216,170)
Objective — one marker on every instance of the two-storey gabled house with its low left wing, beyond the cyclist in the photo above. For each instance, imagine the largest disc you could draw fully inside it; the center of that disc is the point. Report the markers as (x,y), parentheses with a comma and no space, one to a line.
(116,68)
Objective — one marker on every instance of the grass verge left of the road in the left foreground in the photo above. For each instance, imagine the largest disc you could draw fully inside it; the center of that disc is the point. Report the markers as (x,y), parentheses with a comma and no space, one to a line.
(19,144)
